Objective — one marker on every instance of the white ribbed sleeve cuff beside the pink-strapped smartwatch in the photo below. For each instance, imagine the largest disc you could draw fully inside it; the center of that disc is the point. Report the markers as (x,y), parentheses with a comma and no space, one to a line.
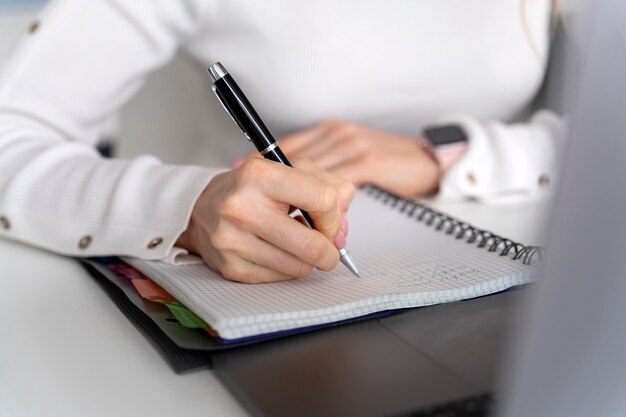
(506,160)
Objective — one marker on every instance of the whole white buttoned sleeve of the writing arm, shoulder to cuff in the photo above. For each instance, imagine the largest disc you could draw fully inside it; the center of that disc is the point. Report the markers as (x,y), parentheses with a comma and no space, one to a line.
(78,63)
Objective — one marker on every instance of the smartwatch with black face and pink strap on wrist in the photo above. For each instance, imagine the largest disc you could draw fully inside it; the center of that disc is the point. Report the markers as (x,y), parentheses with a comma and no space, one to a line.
(446,144)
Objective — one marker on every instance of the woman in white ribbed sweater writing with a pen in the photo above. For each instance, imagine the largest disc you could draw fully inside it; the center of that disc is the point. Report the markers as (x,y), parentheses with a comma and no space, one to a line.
(381,71)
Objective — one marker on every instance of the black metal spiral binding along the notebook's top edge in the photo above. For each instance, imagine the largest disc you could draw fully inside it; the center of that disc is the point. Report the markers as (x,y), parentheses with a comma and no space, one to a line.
(457,228)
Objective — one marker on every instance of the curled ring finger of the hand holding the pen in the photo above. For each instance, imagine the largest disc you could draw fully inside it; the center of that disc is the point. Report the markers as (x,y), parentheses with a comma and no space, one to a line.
(265,254)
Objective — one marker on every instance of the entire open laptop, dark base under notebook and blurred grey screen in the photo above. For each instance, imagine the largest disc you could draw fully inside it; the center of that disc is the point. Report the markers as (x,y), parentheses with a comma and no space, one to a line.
(556,348)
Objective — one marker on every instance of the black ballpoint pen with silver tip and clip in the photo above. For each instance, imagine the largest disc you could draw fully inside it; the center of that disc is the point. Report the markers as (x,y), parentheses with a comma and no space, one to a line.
(239,108)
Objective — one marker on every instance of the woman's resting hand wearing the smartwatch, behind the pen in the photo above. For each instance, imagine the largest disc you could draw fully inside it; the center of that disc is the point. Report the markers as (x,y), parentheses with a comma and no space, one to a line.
(366,156)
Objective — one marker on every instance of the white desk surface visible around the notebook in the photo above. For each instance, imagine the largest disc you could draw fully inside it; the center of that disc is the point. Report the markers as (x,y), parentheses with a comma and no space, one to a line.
(111,369)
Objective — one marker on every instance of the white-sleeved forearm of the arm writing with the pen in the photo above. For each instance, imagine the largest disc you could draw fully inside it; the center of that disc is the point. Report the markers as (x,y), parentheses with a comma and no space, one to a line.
(62,196)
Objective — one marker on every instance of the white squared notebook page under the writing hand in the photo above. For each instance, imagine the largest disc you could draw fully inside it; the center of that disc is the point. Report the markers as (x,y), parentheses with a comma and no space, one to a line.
(403,263)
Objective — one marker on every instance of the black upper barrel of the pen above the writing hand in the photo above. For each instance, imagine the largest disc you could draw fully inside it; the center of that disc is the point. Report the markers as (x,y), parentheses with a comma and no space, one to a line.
(238,106)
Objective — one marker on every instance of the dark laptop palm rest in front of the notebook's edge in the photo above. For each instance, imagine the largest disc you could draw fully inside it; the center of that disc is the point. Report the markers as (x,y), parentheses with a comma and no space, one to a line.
(387,367)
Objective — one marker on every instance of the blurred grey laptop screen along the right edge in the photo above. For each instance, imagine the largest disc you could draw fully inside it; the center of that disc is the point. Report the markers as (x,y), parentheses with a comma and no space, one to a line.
(569,356)
